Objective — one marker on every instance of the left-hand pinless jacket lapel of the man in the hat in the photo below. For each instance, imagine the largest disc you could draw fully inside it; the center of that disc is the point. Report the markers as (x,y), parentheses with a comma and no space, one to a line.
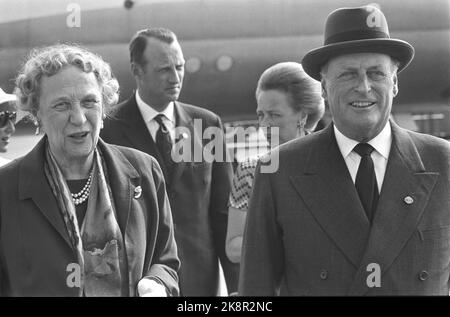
(327,189)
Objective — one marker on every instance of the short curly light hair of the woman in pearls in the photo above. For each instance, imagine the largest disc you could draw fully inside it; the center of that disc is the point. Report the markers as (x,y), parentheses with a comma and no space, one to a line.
(50,60)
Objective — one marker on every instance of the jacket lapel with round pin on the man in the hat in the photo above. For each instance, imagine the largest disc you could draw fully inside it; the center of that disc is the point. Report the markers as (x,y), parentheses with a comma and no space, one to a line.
(396,218)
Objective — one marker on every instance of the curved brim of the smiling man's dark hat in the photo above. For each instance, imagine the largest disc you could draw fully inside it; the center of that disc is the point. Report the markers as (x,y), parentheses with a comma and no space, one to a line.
(400,50)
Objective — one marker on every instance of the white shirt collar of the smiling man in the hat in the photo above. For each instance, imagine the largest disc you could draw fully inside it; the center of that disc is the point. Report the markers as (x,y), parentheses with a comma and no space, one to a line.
(381,143)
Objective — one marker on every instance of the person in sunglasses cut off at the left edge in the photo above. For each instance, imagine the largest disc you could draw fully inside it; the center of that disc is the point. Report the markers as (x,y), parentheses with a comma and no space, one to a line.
(8,117)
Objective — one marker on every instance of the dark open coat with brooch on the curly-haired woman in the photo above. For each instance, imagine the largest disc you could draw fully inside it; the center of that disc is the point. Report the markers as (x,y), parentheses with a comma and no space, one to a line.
(35,248)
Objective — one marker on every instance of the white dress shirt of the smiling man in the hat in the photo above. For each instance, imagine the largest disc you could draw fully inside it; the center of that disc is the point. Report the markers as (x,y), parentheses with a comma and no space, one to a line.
(382,145)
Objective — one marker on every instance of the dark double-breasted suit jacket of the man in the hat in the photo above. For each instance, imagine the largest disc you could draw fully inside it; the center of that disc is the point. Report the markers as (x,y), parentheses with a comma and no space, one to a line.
(307,226)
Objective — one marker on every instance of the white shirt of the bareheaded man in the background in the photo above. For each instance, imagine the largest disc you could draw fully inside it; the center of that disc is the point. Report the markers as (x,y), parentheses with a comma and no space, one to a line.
(149,114)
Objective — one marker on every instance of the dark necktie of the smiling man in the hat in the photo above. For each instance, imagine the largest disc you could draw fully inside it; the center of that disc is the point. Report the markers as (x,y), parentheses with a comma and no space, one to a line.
(366,181)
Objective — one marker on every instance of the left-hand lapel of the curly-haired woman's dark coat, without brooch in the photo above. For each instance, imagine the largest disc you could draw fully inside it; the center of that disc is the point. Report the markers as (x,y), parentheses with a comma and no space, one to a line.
(33,184)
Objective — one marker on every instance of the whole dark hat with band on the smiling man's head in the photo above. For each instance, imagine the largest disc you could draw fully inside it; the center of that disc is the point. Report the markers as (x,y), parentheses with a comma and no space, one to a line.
(356,30)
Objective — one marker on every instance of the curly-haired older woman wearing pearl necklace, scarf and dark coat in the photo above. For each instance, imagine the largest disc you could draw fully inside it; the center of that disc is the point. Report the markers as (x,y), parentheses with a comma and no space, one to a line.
(79,216)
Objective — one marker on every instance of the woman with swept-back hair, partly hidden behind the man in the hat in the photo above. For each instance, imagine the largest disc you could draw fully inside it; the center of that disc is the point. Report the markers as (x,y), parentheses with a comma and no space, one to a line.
(289,100)
